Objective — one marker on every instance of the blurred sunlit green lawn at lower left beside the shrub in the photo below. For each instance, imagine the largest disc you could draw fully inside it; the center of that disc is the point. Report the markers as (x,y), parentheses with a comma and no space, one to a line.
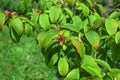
(22,60)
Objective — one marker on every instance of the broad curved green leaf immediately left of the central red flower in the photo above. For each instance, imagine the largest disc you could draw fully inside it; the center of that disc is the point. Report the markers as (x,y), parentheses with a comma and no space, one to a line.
(44,38)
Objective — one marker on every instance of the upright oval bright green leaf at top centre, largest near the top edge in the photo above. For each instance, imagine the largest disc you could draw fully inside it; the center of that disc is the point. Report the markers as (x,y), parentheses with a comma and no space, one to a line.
(54,13)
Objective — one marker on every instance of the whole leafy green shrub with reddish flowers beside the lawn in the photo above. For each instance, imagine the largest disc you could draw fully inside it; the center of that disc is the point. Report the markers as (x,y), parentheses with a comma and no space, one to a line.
(73,36)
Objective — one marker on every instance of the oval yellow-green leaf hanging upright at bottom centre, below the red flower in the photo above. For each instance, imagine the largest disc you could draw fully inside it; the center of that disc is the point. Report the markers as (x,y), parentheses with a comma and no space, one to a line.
(63,66)
